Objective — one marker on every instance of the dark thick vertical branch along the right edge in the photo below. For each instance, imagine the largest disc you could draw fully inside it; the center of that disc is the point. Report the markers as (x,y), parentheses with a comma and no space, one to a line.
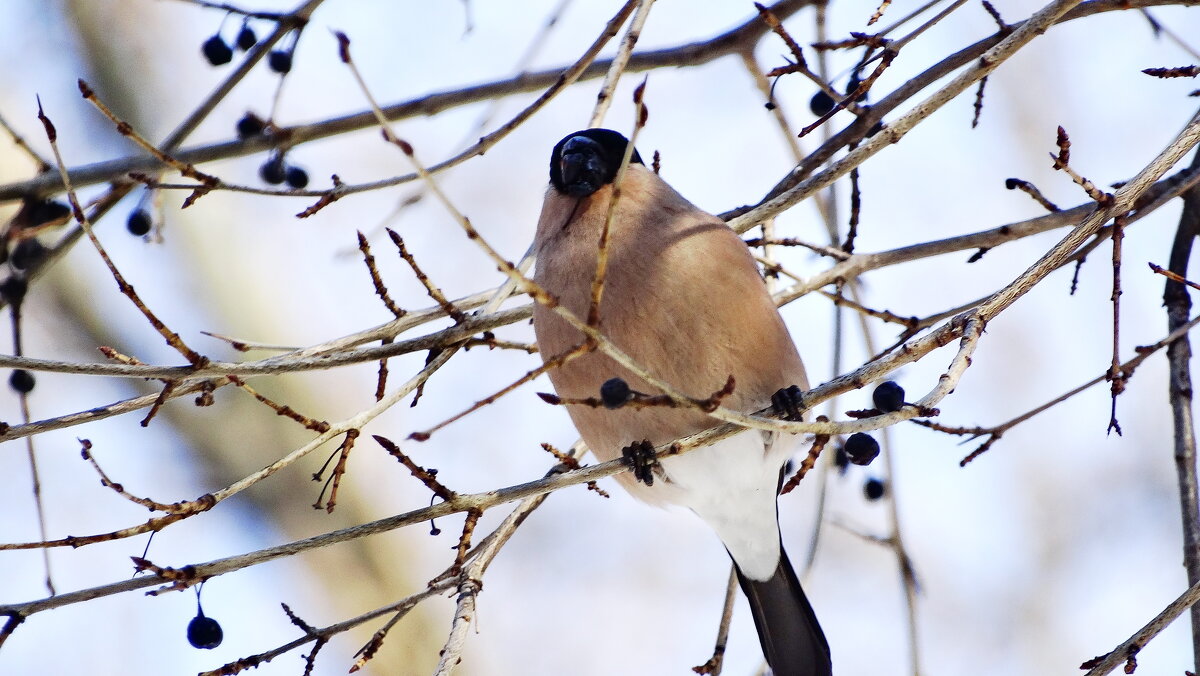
(1179,356)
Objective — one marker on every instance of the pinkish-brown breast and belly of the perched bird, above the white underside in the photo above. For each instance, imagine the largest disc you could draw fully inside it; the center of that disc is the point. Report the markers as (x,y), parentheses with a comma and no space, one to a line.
(683,298)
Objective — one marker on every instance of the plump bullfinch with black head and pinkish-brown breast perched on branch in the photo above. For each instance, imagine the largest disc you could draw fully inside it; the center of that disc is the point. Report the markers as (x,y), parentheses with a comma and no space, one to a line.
(685,300)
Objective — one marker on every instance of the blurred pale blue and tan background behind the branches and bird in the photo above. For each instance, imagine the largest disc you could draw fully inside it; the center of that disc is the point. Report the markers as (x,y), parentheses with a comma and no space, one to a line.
(1051,549)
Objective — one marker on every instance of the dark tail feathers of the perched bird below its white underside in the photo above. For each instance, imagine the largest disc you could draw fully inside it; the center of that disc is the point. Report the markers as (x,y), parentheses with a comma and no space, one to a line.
(791,637)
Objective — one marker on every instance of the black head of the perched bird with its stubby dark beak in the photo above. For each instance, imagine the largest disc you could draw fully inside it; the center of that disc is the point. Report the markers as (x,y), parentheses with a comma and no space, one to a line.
(587,160)
